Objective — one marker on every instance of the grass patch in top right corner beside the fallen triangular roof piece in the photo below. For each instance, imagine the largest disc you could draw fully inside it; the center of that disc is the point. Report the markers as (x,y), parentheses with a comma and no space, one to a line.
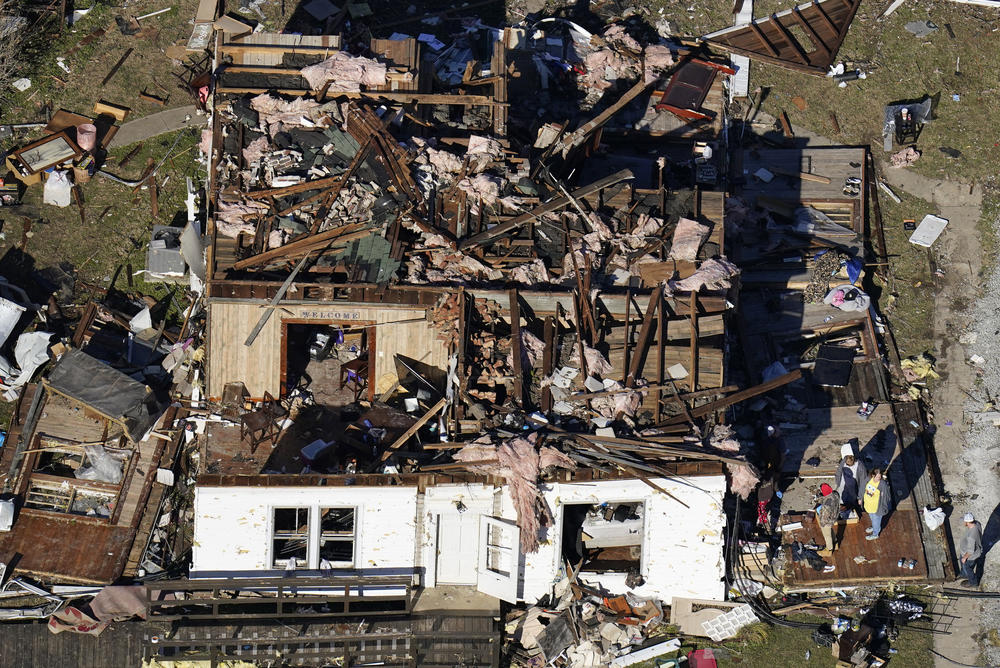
(901,66)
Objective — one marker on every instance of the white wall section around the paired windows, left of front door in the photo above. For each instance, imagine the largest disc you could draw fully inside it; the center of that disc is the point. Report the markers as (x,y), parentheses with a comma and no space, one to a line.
(232,526)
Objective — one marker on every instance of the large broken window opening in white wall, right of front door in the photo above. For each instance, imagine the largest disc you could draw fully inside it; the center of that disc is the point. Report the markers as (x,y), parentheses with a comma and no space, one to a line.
(605,537)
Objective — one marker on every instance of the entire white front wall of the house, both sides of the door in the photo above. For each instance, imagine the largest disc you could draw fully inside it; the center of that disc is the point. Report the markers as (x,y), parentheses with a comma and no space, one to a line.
(682,548)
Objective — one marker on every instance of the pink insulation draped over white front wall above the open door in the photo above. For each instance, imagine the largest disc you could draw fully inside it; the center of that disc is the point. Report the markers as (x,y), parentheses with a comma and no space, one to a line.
(519,463)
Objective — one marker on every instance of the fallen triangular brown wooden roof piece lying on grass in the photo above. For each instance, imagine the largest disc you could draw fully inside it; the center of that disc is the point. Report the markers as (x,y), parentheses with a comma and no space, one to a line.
(805,38)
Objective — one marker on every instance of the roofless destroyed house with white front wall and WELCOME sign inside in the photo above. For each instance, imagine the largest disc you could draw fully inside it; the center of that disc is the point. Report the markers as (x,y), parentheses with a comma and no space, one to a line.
(416,321)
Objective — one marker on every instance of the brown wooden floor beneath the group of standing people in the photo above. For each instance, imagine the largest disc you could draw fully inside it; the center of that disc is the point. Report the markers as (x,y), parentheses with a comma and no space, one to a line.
(900,538)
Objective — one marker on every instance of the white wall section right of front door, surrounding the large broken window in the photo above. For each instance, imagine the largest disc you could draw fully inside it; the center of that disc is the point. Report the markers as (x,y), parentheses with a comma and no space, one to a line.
(682,548)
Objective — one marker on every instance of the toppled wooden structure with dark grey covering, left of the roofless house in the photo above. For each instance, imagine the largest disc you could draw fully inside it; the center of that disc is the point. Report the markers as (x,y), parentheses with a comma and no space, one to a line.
(82,457)
